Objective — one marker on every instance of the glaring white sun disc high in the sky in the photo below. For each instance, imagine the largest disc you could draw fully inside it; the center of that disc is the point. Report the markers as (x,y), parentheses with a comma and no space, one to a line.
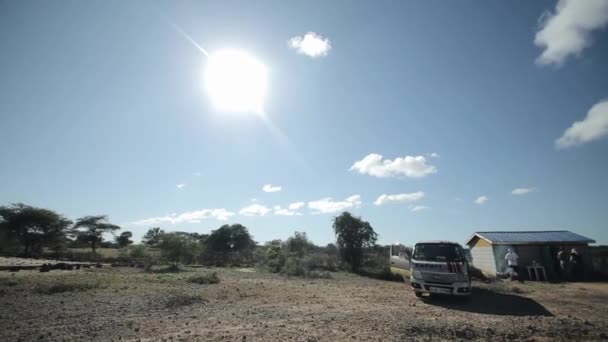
(235,82)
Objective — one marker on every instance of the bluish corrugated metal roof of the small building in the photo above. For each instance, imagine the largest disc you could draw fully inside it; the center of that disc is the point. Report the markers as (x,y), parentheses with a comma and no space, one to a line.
(532,237)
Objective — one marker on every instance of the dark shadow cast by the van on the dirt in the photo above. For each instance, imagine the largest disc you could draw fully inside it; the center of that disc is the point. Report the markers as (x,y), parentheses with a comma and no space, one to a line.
(489,302)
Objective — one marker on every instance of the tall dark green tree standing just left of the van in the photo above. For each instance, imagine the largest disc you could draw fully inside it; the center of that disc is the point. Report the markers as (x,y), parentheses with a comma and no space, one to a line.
(353,235)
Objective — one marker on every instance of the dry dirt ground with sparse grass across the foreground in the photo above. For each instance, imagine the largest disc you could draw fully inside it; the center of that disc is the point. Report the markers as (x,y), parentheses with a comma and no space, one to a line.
(129,304)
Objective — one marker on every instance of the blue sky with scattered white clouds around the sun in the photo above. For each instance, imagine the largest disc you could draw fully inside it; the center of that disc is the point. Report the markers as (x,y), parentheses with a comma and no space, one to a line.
(429,119)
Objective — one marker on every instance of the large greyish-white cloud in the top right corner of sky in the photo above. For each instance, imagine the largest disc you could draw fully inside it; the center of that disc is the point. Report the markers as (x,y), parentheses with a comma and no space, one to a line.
(567,31)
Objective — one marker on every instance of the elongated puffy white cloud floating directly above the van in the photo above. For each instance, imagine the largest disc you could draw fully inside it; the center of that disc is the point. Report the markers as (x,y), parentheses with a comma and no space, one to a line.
(374,165)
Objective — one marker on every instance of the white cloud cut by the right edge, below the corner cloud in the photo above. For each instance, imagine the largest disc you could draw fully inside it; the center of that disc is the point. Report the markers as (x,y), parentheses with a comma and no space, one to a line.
(593,127)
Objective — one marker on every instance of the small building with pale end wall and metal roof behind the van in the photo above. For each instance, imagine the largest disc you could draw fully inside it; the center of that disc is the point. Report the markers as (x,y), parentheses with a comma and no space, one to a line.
(488,250)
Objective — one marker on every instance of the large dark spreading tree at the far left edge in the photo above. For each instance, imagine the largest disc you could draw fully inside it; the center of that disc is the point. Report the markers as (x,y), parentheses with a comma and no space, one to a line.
(34,228)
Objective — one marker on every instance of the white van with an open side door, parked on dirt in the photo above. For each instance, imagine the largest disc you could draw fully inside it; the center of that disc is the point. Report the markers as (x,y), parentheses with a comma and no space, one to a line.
(433,267)
